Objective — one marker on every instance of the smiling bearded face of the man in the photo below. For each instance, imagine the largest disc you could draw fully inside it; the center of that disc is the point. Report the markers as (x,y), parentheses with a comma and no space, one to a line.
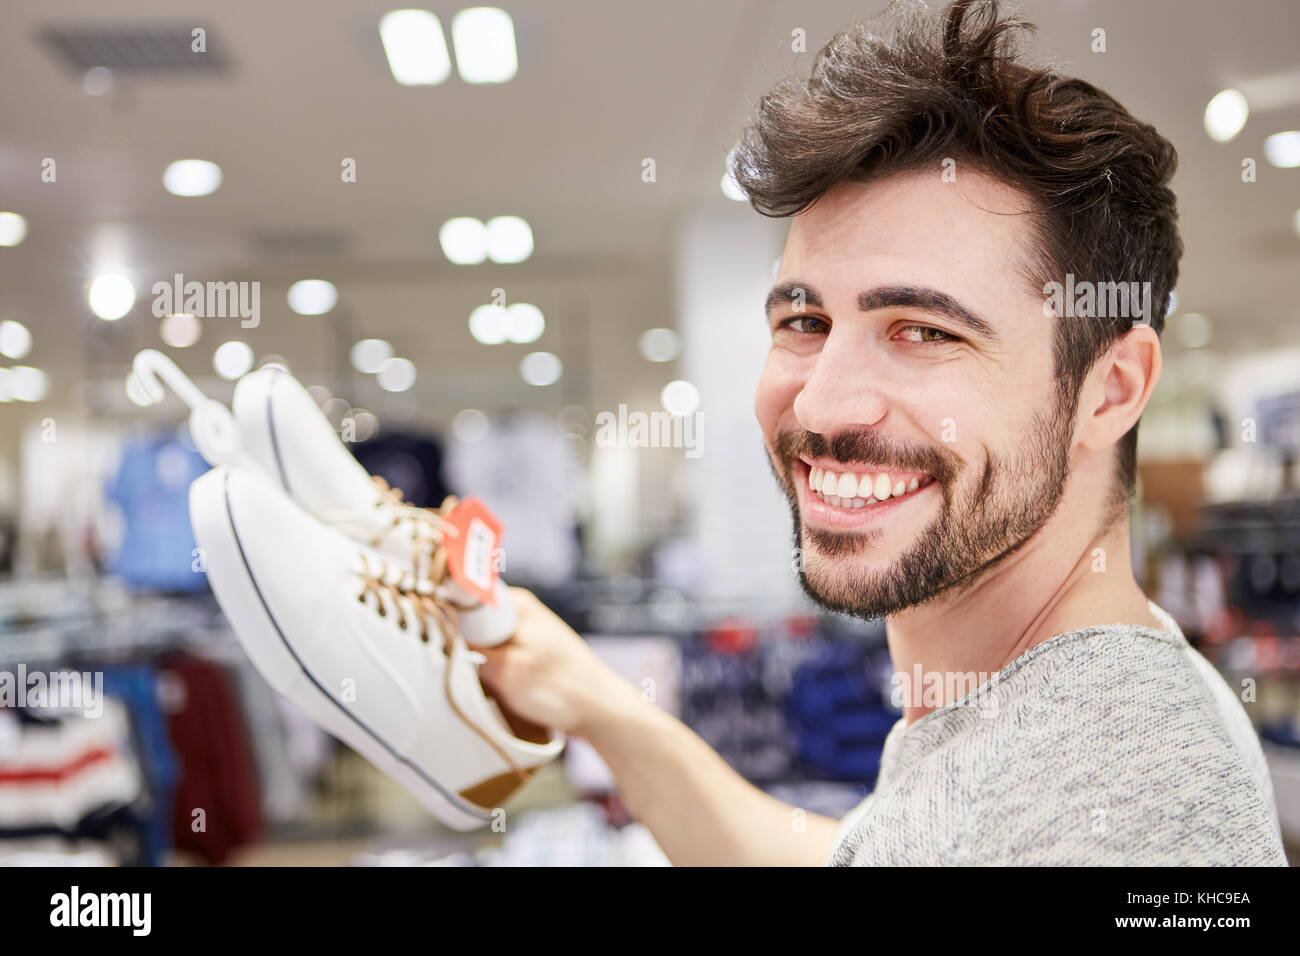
(909,404)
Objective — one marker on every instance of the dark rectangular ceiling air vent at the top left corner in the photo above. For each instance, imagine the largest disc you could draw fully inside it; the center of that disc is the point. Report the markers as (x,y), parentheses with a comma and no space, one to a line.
(136,49)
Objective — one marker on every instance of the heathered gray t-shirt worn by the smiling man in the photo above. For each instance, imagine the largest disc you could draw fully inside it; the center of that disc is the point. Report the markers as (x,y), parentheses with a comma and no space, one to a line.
(1115,746)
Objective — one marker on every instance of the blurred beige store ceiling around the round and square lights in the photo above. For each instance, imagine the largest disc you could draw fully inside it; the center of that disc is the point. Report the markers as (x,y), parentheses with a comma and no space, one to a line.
(601,88)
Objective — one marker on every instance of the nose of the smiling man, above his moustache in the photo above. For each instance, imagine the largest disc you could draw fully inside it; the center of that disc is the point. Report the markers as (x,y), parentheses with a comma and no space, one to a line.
(843,390)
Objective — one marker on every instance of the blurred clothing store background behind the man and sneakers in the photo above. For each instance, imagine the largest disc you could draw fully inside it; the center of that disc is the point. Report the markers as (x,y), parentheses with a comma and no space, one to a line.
(478,235)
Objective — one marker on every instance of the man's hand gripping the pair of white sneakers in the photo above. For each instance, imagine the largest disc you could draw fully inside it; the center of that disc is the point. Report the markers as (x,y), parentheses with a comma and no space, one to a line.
(548,674)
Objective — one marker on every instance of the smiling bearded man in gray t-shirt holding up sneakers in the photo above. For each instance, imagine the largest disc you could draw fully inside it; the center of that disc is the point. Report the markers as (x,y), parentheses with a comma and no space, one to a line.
(965,332)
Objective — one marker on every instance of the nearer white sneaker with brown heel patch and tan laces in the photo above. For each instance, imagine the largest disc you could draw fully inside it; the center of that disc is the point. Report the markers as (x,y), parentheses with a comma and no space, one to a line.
(339,629)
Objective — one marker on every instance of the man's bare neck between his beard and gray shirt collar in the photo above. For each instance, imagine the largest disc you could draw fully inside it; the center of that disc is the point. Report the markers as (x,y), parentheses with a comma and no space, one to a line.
(1065,578)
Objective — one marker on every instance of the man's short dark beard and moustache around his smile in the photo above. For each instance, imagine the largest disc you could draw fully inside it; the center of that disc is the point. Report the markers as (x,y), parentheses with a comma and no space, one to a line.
(982,522)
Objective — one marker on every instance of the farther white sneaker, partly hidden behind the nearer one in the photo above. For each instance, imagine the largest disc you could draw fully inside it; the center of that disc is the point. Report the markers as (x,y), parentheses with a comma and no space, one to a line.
(287,434)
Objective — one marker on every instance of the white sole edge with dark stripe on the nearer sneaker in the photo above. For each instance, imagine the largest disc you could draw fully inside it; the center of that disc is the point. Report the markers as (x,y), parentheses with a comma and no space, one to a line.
(236,587)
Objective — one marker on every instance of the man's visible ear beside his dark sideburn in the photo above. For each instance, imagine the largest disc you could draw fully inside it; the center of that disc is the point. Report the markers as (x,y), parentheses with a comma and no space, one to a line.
(1119,388)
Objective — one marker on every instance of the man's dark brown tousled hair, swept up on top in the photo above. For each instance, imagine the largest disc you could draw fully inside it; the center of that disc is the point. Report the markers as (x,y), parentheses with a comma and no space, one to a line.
(952,86)
